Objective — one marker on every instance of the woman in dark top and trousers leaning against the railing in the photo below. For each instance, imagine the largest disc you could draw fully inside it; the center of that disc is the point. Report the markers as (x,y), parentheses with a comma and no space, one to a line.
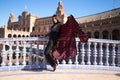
(53,36)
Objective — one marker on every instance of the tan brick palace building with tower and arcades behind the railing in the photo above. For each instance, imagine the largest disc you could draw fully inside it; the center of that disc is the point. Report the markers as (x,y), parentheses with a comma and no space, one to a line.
(105,25)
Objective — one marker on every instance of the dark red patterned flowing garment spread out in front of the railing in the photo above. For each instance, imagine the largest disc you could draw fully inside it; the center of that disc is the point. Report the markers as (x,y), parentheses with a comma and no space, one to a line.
(66,45)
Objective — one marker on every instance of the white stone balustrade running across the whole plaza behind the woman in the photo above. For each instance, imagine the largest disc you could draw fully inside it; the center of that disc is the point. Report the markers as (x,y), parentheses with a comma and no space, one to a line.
(28,53)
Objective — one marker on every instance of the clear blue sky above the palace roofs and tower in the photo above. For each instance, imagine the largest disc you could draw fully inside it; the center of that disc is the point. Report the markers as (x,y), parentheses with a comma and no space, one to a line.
(44,8)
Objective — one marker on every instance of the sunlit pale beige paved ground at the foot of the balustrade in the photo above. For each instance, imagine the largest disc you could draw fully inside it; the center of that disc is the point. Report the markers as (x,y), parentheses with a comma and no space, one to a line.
(60,74)
